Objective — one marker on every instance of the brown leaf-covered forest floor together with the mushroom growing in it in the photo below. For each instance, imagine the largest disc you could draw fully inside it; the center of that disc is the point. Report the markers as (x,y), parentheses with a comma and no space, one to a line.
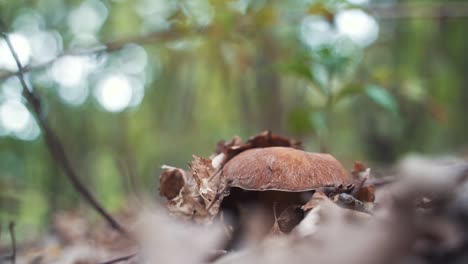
(266,201)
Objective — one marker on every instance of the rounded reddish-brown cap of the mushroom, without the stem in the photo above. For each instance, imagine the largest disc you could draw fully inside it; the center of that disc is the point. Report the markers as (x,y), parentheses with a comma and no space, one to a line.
(284,169)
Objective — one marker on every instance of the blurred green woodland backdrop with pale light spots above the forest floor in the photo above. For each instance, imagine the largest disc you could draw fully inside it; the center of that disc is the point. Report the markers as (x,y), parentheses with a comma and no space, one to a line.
(365,80)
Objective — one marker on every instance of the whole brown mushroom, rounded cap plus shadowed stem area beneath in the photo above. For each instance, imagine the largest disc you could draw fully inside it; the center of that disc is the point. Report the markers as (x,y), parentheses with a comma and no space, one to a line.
(274,179)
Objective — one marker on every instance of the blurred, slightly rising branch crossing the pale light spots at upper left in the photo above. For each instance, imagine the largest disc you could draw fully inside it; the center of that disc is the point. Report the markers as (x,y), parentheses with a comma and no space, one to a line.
(106,47)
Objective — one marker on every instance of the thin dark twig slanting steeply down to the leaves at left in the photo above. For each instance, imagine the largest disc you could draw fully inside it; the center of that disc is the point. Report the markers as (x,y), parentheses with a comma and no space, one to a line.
(55,146)
